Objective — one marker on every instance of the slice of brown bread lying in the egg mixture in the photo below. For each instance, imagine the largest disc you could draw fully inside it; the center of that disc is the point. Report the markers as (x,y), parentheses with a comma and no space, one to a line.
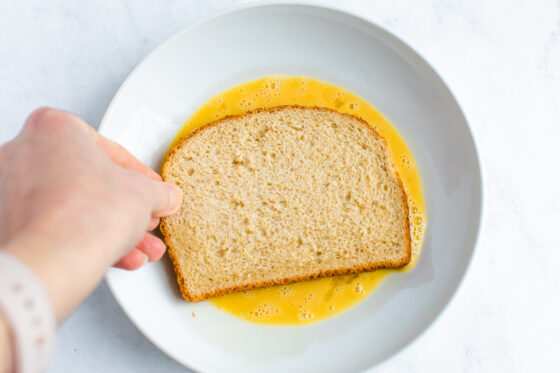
(282,195)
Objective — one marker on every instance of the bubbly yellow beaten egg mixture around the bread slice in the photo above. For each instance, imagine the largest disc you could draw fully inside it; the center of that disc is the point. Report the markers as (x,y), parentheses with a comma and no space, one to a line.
(310,301)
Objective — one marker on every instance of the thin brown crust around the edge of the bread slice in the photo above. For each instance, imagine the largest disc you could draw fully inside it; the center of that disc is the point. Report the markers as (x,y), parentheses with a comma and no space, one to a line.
(172,251)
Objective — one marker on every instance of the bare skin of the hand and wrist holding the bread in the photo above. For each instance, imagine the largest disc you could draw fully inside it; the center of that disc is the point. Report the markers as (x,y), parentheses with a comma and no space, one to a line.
(72,204)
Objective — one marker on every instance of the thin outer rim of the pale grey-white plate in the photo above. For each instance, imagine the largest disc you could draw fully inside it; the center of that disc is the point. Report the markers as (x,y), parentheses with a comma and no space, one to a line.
(395,37)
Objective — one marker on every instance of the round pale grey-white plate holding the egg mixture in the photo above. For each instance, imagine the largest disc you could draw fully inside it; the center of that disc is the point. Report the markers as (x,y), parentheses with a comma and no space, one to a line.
(223,51)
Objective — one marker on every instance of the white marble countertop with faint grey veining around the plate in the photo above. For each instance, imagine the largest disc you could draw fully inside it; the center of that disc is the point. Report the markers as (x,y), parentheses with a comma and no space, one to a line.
(500,57)
